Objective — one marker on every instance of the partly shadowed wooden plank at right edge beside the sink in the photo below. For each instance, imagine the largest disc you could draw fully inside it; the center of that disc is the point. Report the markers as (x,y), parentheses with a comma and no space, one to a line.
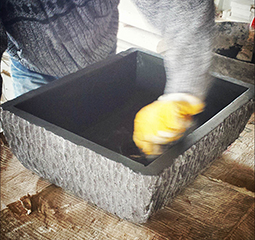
(236,165)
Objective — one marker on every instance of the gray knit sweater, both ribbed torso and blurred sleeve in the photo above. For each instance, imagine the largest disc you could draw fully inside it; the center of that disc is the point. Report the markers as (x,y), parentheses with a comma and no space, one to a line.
(58,37)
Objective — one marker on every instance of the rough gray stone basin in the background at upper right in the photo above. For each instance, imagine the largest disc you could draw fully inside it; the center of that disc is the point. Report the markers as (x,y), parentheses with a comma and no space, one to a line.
(229,40)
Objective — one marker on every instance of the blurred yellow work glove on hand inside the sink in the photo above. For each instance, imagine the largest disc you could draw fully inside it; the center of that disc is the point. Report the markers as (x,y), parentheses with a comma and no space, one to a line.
(164,121)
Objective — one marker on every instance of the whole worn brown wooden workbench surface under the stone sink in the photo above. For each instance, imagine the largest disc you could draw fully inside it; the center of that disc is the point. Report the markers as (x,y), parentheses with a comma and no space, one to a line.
(219,204)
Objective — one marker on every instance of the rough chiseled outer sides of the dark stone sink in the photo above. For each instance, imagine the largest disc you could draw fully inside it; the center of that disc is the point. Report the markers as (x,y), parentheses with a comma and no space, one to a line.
(106,183)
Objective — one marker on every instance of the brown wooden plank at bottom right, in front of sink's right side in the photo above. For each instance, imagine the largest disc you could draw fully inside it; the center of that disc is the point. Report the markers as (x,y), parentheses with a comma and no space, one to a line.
(204,210)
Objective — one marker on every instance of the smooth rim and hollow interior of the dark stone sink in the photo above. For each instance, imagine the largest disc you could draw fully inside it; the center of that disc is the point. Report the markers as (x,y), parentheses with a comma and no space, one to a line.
(96,106)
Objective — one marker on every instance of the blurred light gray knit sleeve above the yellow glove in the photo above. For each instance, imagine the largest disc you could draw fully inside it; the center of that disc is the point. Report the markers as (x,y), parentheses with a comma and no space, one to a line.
(187,26)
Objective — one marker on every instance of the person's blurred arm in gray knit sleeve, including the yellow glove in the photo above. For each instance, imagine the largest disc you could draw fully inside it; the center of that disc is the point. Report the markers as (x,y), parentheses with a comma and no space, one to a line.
(187,27)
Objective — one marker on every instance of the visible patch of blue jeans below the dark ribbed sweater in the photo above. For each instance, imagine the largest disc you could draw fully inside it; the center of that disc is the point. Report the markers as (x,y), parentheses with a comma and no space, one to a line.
(25,80)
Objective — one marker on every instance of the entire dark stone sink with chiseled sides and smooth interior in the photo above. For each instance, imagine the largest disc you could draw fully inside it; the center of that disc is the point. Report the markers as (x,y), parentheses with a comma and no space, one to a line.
(77,133)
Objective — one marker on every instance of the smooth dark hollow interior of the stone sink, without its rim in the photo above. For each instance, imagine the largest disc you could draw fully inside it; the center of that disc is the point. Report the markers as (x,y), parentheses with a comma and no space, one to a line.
(100,105)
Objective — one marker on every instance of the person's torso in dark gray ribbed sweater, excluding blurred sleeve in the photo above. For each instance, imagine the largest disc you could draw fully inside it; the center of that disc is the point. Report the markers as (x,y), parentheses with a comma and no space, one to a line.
(59,37)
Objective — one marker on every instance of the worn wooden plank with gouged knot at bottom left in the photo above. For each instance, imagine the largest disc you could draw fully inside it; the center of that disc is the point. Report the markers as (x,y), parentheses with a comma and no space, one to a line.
(59,215)
